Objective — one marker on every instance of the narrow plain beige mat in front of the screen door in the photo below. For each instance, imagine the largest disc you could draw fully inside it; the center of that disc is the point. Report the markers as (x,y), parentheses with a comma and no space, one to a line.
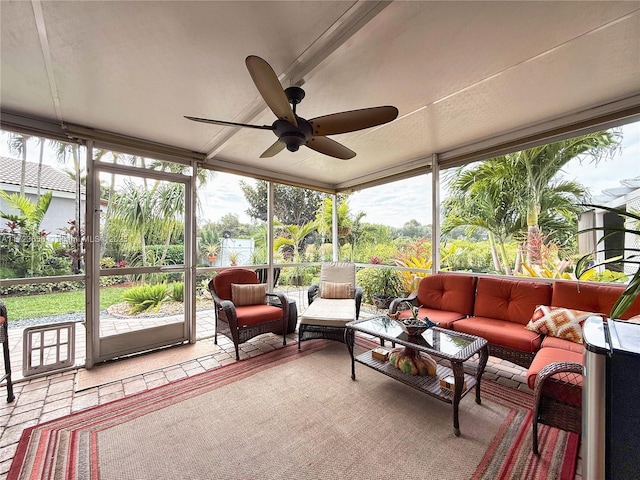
(148,362)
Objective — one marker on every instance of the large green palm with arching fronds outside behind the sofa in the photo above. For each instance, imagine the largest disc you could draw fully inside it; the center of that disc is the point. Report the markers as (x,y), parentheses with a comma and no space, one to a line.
(520,195)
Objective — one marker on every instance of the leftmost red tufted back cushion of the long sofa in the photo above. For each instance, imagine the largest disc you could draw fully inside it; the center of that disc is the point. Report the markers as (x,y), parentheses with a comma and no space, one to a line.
(449,292)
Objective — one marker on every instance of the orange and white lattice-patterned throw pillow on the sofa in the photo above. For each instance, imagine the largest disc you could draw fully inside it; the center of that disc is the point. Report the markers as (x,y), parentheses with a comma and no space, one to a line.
(559,322)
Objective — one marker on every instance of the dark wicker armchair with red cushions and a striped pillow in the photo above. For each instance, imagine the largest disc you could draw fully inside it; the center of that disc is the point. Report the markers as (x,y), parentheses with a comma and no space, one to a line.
(249,314)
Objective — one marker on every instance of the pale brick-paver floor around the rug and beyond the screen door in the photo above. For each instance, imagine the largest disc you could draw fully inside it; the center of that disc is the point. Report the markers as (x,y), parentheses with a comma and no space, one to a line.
(52,396)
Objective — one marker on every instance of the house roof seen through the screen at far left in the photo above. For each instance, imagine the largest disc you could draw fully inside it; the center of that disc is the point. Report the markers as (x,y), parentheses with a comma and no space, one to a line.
(50,178)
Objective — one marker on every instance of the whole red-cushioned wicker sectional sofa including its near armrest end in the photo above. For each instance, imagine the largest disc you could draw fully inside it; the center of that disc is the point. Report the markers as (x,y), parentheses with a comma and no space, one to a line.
(498,309)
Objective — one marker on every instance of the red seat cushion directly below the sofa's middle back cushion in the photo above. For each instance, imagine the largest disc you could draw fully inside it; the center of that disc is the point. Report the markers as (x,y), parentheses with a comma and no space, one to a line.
(507,334)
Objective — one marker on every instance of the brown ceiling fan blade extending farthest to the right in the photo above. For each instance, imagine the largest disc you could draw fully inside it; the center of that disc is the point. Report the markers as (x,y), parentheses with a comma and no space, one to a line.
(352,120)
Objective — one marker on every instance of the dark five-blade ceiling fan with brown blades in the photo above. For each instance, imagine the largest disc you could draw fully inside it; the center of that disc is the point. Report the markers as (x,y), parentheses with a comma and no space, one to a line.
(294,131)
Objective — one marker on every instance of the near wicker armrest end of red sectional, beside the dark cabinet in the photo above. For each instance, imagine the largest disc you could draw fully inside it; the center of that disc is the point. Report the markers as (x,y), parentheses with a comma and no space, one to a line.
(558,398)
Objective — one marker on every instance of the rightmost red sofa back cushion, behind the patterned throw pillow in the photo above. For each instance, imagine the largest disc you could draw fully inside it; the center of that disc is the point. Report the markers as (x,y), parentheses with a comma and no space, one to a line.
(590,297)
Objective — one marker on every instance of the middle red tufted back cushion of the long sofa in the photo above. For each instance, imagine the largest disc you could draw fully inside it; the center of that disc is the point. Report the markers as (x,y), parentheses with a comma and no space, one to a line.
(510,300)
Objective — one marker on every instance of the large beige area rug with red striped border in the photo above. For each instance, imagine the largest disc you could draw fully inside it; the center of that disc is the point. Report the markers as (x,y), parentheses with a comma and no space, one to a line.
(289,414)
